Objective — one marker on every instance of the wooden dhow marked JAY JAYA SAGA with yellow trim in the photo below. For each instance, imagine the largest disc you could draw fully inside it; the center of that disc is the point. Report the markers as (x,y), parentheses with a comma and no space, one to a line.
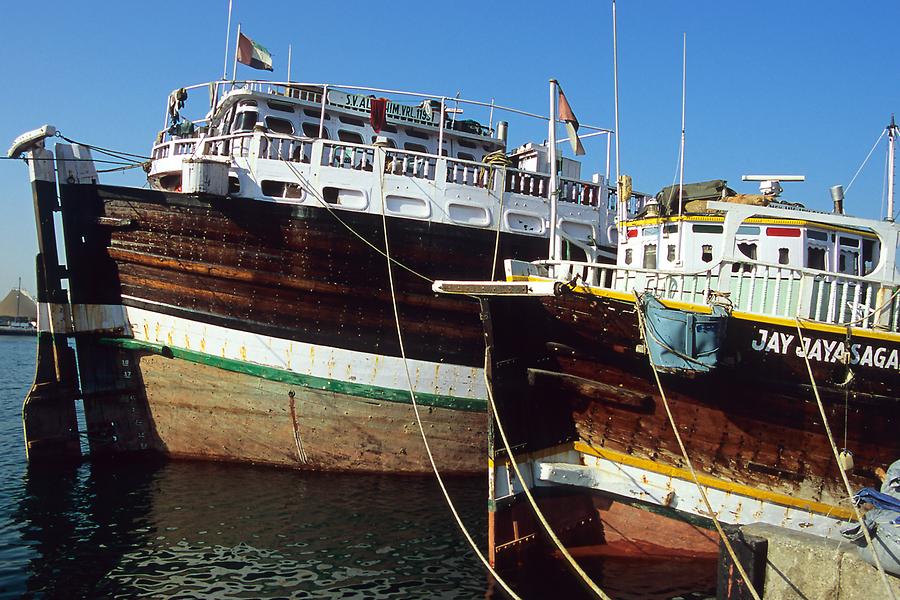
(736,321)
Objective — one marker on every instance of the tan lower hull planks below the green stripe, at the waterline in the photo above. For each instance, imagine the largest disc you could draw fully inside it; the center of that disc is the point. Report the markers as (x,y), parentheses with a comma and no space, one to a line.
(199,411)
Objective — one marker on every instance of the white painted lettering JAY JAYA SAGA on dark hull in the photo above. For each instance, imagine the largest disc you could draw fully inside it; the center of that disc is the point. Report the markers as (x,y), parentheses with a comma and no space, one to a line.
(830,351)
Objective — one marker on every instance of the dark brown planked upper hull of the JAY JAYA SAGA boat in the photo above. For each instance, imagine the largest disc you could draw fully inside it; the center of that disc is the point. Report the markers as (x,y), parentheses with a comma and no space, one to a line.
(567,370)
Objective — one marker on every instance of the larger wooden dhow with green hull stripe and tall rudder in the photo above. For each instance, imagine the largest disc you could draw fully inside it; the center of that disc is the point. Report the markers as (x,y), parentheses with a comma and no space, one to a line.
(241,307)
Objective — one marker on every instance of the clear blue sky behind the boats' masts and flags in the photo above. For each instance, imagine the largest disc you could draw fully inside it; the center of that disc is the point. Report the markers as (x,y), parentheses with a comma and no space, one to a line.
(788,87)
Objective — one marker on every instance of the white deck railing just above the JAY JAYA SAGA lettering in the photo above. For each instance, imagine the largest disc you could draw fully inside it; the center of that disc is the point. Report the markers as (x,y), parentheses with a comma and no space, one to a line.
(754,288)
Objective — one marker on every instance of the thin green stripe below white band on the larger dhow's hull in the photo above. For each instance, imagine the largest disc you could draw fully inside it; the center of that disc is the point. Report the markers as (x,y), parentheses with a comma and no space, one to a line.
(309,381)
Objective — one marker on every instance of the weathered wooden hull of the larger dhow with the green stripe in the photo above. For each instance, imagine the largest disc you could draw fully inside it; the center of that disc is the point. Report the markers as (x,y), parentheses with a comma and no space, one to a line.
(274,271)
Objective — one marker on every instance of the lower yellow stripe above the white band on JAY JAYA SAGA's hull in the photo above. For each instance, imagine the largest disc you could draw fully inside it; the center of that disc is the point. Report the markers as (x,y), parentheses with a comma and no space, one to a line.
(726,486)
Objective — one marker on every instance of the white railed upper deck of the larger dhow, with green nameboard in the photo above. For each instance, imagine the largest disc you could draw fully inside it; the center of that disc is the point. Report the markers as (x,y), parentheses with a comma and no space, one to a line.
(316,144)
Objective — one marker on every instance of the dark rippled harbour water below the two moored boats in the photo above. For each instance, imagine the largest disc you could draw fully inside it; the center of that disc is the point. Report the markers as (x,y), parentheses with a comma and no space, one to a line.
(207,530)
